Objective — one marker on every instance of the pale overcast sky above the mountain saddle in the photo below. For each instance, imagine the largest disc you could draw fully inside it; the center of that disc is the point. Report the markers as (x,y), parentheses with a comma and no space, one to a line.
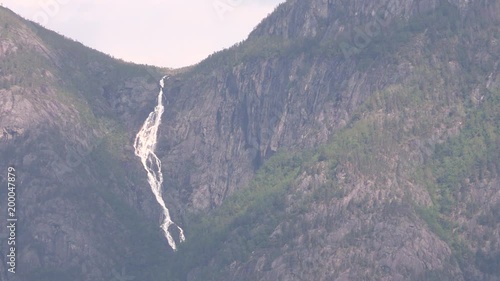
(169,33)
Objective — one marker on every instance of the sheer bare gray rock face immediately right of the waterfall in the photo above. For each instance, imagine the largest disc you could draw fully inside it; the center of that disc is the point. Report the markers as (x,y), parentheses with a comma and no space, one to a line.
(226,124)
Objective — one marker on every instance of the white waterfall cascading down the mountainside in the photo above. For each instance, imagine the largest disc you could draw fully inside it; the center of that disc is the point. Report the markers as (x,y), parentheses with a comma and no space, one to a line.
(145,144)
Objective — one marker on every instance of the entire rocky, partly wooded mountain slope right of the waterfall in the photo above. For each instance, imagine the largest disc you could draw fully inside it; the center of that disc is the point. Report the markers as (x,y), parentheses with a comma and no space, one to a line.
(404,95)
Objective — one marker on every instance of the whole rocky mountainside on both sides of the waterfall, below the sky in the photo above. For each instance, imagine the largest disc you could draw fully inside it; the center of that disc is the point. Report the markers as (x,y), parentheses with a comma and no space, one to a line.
(343,140)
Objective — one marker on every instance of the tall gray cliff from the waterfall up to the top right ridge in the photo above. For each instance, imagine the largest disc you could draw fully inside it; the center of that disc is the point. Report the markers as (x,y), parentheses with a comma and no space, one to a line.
(295,81)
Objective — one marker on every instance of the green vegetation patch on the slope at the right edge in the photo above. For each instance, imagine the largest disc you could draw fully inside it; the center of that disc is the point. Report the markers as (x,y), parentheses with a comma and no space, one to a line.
(463,161)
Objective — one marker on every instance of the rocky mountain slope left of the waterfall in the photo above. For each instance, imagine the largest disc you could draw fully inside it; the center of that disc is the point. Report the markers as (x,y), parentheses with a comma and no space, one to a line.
(68,120)
